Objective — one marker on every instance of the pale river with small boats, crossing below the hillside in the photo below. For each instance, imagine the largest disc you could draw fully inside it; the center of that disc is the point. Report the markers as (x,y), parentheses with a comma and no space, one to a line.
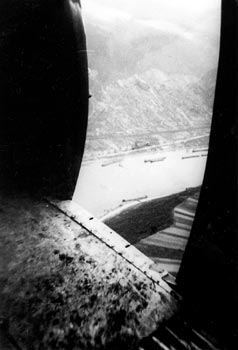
(103,187)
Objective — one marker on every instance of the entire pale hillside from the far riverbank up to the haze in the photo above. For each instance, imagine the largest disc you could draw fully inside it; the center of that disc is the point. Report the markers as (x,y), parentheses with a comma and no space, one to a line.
(152,78)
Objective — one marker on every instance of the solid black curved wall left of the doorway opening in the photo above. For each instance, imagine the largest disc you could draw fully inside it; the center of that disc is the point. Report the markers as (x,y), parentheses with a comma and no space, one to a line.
(43,92)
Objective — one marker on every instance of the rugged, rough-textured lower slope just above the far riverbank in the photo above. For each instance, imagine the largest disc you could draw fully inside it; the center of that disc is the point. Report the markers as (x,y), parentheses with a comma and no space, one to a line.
(147,109)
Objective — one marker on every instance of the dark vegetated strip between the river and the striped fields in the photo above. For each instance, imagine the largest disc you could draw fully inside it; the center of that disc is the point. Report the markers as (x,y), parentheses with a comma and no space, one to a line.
(147,218)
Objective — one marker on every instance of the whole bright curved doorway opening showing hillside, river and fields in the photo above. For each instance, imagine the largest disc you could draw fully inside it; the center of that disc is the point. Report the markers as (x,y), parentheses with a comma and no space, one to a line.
(152,72)
